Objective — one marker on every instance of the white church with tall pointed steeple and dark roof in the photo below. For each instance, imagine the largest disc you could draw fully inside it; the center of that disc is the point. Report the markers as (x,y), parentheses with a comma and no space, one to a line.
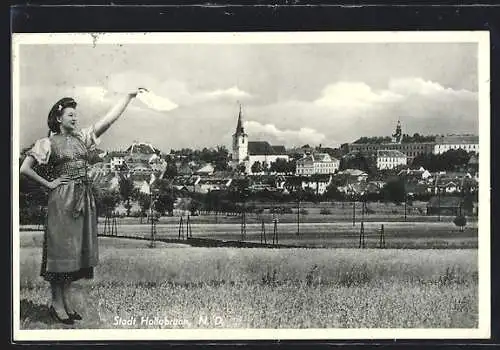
(248,152)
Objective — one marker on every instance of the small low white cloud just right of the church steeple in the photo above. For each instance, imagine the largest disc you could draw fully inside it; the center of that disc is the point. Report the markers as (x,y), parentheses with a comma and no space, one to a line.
(288,137)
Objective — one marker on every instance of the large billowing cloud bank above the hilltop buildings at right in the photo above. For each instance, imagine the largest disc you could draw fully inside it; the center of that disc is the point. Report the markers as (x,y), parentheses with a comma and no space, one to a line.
(346,111)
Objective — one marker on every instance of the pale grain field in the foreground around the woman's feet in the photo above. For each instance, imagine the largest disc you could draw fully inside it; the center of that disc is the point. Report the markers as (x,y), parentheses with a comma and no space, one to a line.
(261,288)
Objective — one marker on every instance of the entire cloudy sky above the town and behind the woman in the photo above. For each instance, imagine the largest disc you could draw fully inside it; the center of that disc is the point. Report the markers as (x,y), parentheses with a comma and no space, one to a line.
(292,94)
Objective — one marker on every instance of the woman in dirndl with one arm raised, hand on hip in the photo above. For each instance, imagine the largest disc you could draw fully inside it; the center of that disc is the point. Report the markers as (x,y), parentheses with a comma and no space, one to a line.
(70,250)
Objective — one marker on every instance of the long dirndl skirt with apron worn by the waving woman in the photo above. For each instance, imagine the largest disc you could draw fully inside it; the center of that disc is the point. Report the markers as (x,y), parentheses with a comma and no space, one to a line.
(70,250)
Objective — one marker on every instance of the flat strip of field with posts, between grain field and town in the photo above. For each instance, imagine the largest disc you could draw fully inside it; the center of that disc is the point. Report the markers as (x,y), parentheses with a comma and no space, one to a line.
(340,234)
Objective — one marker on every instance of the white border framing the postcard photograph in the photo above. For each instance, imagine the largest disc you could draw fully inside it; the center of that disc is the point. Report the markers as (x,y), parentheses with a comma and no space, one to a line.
(479,37)
